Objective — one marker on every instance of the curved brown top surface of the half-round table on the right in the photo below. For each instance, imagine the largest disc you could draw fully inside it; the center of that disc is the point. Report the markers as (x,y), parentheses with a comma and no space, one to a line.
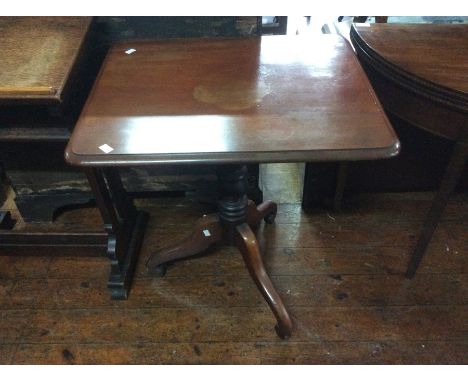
(430,81)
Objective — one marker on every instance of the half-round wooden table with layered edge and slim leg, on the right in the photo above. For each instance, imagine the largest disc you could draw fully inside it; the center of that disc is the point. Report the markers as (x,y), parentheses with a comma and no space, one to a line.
(419,73)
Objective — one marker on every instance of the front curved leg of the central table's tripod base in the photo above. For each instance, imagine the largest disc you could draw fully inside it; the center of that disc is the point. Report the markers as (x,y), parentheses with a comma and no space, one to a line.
(248,246)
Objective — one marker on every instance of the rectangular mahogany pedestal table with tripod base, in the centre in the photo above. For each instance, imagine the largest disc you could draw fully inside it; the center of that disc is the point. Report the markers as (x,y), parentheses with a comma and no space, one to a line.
(227,102)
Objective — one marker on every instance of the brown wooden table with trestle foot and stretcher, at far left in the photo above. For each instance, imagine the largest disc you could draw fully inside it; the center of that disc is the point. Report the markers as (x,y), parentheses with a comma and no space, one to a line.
(43,85)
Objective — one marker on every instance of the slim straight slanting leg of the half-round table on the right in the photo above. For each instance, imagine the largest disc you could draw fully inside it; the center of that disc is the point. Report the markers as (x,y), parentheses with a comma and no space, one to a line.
(449,181)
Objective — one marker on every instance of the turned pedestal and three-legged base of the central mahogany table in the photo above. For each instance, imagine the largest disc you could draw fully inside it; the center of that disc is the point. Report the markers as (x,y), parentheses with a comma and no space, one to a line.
(230,226)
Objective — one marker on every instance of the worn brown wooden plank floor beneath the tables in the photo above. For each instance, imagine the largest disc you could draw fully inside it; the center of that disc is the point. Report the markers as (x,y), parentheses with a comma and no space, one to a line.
(341,276)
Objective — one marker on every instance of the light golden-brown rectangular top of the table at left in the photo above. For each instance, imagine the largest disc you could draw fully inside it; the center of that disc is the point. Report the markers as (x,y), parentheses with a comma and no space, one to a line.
(38,54)
